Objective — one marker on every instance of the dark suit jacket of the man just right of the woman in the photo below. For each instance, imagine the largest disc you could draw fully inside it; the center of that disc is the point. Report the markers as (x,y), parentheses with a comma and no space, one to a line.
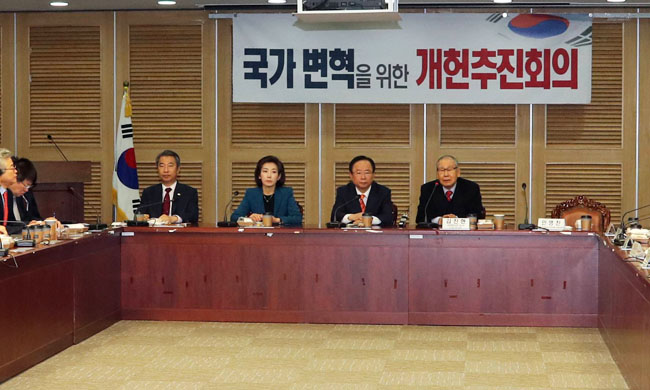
(379,203)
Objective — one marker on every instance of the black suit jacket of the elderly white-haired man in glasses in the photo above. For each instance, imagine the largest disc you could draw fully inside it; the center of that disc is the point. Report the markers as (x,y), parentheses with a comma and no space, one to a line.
(466,200)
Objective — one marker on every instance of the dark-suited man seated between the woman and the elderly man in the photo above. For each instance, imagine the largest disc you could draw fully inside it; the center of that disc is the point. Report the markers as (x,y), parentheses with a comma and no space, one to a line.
(362,188)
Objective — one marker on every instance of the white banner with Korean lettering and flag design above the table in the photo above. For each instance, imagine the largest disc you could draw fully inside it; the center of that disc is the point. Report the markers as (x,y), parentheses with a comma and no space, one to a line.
(424,58)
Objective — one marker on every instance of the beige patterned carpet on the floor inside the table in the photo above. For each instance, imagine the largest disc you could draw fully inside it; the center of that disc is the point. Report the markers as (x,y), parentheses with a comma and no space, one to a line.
(225,356)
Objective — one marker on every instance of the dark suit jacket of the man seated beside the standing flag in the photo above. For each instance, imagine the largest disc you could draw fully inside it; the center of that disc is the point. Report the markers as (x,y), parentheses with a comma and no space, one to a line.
(185,202)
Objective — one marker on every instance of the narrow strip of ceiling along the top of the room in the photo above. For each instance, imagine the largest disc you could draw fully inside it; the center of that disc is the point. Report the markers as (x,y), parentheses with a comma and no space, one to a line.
(84,5)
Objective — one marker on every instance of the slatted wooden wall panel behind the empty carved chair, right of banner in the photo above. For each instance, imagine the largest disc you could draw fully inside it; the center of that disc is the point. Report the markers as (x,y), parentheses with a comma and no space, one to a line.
(590,149)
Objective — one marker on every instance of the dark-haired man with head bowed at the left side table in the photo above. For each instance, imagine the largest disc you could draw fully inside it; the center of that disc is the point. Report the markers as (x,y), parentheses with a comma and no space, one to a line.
(24,204)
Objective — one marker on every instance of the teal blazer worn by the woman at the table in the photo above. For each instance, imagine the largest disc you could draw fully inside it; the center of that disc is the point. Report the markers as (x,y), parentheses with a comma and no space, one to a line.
(285,206)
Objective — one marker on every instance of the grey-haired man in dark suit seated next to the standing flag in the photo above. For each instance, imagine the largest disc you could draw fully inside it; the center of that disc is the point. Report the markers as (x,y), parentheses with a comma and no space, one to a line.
(170,201)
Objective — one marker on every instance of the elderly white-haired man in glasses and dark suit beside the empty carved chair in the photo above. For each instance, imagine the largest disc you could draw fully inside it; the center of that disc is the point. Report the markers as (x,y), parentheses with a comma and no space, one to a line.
(450,195)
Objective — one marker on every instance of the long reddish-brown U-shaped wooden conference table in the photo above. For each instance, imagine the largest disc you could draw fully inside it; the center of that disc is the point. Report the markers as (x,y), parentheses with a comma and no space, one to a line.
(62,294)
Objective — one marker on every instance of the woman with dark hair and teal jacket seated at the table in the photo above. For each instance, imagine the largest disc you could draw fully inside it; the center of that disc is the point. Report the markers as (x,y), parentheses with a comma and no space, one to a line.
(270,195)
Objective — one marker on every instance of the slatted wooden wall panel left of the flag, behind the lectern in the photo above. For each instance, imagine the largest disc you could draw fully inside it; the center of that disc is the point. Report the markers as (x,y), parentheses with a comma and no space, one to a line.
(64,88)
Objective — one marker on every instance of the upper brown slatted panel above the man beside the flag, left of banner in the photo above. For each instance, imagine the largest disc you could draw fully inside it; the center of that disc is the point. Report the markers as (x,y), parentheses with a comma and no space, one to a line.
(165,63)
